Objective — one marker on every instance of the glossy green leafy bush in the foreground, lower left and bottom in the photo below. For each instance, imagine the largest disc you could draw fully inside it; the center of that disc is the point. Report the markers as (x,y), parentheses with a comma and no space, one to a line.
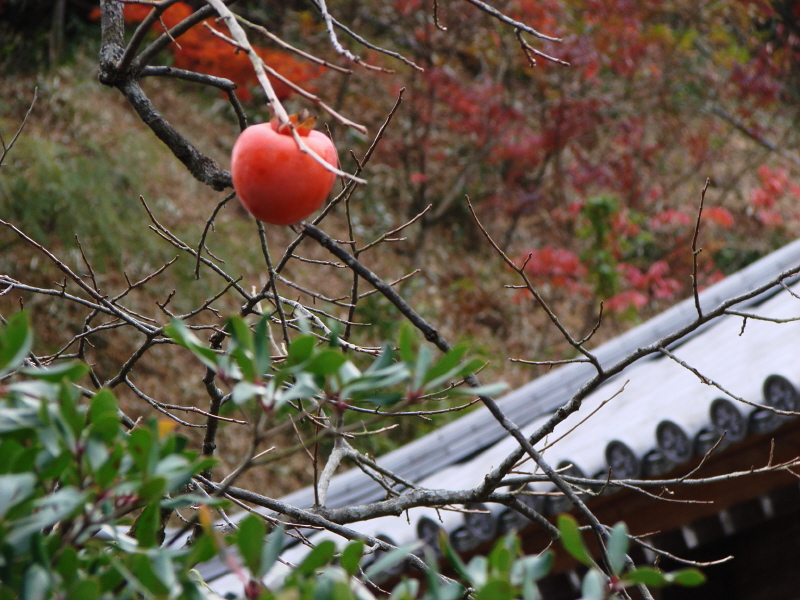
(84,503)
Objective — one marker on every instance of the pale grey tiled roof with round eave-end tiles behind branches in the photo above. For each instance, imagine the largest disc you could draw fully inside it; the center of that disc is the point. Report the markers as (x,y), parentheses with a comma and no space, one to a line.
(658,413)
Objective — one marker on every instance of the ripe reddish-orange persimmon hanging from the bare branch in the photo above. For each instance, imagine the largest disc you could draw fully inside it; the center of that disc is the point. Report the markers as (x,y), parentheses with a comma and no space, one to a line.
(275,181)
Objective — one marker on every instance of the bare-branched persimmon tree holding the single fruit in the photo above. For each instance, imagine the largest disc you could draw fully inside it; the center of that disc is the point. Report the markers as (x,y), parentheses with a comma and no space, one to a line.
(123,63)
